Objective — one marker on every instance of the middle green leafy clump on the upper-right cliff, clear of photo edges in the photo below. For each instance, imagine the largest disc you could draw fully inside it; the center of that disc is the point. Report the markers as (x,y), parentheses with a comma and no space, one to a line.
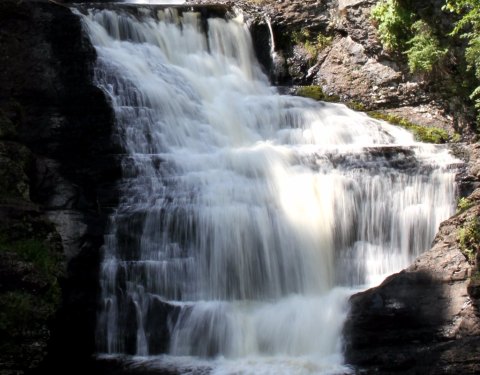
(424,52)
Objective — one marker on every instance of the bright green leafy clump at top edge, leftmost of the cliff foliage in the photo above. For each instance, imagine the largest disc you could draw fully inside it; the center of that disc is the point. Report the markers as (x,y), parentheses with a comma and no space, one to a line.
(393,22)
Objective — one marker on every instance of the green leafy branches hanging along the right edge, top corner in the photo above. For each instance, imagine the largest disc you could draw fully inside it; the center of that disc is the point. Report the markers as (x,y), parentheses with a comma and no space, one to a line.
(468,27)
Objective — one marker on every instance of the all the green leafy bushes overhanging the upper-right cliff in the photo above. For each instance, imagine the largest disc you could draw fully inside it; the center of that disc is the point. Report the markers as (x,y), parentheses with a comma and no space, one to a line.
(428,47)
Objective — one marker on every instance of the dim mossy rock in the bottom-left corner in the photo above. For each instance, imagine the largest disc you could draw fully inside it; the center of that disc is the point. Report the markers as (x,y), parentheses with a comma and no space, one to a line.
(31,264)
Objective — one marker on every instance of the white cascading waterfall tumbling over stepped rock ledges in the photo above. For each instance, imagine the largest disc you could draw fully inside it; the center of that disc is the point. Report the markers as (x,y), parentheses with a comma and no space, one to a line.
(246,217)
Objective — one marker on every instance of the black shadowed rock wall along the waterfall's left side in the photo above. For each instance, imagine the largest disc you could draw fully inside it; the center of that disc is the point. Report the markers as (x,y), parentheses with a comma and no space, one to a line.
(58,166)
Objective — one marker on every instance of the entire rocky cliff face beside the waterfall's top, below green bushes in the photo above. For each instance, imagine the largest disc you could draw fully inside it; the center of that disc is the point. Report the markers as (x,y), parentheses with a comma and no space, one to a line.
(334,44)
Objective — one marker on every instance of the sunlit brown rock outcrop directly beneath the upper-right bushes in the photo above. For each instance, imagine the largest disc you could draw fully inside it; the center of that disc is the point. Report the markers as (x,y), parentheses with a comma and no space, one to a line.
(357,68)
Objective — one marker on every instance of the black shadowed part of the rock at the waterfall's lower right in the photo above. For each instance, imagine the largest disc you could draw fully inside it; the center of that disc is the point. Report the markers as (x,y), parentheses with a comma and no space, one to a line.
(401,327)
